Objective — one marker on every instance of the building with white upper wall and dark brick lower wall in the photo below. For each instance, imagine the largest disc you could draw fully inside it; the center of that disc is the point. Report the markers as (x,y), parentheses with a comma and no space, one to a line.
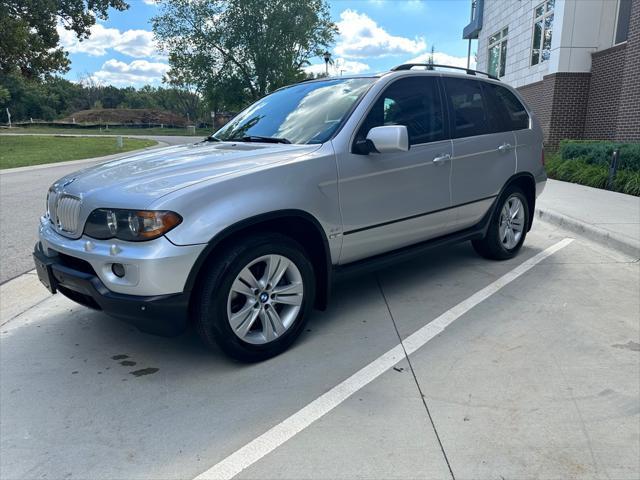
(576,62)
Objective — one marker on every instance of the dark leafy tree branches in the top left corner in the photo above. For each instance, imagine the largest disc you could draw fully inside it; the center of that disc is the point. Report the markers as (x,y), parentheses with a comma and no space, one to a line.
(29,39)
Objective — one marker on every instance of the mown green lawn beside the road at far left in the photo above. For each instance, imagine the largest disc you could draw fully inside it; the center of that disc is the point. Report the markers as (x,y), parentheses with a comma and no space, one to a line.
(21,151)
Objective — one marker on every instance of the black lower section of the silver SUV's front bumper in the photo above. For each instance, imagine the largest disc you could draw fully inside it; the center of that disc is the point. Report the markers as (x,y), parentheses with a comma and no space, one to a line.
(165,315)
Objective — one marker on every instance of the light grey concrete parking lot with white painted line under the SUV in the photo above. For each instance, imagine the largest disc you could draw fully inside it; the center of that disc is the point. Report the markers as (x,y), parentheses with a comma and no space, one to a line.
(536,375)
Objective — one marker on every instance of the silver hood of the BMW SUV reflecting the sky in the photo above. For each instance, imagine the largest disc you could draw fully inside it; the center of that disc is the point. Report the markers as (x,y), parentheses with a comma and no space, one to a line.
(137,180)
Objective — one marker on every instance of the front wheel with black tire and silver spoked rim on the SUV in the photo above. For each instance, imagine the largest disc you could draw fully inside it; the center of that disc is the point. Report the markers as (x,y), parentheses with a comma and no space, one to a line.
(234,288)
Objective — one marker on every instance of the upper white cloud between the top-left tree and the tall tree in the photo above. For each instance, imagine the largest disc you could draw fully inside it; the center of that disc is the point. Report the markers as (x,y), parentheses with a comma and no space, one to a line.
(133,43)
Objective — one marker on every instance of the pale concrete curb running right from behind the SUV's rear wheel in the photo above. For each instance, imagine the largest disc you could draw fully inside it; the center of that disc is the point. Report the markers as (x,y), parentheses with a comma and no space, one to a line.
(596,234)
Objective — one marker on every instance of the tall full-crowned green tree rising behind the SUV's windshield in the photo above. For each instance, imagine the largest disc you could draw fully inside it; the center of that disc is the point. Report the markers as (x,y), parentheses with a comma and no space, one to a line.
(235,51)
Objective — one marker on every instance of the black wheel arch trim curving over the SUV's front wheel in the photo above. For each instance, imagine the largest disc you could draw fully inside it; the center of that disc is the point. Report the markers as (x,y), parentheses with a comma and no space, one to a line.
(297,224)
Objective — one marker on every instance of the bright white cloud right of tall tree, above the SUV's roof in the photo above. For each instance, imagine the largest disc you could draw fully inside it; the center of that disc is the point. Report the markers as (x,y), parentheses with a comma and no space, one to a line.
(361,37)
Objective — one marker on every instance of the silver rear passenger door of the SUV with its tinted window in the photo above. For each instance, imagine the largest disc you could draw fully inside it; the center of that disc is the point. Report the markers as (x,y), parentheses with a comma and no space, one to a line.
(483,148)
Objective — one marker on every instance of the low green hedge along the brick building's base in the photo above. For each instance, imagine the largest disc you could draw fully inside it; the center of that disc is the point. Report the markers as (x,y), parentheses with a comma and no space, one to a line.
(586,172)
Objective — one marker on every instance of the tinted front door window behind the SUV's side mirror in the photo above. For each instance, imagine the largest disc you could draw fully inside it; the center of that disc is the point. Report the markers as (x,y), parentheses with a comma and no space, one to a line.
(412,102)
